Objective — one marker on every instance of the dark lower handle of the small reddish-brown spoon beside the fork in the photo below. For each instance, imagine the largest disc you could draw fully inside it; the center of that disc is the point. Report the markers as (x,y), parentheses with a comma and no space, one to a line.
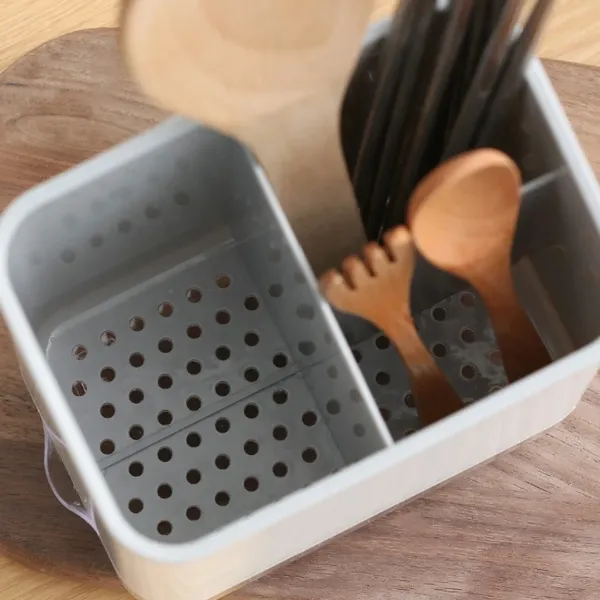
(523,352)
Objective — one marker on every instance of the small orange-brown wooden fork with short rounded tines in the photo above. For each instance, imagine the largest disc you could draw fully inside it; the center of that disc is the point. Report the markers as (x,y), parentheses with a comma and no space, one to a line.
(378,290)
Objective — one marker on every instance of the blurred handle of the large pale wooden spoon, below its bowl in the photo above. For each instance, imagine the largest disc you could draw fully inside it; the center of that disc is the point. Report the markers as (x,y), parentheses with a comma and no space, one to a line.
(301,153)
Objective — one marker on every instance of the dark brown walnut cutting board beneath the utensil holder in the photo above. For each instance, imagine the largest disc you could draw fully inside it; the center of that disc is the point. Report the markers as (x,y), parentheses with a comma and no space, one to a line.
(526,525)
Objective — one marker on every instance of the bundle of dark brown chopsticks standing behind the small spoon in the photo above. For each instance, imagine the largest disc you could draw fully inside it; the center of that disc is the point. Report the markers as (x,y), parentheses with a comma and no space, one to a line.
(447,75)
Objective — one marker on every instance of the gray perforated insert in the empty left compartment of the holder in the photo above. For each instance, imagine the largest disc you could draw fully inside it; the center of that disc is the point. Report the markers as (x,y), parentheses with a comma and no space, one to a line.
(206,393)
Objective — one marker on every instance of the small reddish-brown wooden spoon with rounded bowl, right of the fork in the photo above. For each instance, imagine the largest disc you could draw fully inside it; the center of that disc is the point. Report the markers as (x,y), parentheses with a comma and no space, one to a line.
(463,218)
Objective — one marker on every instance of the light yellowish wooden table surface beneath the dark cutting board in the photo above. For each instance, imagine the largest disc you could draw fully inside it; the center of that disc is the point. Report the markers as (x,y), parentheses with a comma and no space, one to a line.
(573,35)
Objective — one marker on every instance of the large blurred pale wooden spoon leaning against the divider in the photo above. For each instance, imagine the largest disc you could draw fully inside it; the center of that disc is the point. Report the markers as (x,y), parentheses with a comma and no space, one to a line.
(271,73)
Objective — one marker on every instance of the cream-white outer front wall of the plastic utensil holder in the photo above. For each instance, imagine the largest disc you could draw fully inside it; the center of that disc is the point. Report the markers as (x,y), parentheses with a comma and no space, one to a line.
(375,490)
